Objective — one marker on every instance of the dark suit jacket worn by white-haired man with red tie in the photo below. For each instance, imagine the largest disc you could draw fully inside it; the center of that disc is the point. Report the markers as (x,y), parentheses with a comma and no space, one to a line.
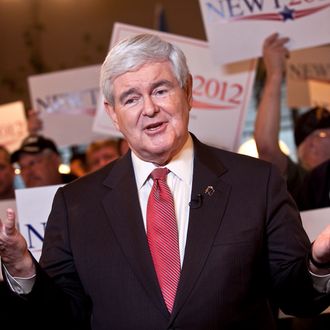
(245,245)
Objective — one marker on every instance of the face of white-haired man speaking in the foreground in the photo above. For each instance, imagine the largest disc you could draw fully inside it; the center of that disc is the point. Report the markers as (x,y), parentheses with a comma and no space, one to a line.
(152,111)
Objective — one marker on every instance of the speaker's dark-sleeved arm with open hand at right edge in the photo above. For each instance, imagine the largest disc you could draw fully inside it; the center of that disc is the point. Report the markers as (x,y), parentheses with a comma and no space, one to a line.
(294,289)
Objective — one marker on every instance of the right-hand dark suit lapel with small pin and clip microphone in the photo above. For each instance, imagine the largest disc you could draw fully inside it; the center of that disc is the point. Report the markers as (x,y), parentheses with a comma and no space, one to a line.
(204,220)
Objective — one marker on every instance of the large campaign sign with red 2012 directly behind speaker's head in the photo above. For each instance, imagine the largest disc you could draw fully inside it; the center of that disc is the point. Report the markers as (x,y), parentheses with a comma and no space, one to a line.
(220,93)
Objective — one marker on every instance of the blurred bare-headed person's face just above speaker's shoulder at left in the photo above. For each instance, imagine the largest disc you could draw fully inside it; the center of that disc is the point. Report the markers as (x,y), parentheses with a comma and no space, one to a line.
(100,153)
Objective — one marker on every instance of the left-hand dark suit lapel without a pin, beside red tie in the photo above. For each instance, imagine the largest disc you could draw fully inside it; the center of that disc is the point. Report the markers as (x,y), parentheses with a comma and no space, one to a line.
(123,211)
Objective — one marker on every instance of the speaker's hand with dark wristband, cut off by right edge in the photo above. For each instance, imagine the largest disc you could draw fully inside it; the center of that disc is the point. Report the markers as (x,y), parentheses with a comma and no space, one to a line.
(321,252)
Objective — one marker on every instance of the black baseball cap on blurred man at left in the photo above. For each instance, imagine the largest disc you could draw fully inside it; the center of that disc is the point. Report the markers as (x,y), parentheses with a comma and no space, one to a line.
(33,144)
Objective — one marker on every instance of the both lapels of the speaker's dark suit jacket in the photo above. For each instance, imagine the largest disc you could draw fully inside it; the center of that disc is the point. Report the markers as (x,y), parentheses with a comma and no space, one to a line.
(123,211)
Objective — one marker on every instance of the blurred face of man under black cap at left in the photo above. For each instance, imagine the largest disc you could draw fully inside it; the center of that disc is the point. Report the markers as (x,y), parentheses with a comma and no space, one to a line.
(40,169)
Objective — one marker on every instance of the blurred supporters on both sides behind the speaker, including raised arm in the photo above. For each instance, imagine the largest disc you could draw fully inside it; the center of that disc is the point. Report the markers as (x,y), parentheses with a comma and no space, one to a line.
(307,180)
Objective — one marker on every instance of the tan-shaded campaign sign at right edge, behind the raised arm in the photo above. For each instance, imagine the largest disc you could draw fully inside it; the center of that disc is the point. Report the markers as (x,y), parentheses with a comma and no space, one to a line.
(302,67)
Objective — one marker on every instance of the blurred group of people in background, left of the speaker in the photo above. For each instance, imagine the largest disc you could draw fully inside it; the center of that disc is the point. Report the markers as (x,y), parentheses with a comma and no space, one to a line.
(38,160)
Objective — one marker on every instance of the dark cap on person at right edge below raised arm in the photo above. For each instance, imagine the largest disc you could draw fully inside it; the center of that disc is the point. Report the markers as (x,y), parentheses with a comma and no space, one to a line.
(310,121)
